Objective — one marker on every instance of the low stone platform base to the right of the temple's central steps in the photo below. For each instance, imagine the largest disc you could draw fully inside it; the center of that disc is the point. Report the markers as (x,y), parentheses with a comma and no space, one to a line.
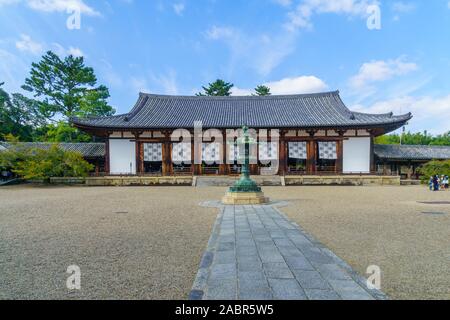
(341,180)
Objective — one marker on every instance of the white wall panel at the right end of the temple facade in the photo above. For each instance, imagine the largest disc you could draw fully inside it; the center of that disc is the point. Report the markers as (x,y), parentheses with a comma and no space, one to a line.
(357,155)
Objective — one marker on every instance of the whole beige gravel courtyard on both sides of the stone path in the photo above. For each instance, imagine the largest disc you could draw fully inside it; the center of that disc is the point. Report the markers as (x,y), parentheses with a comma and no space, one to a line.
(146,243)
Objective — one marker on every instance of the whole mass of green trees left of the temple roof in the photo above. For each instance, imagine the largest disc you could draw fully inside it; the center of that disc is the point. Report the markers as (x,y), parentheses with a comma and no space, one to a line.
(62,88)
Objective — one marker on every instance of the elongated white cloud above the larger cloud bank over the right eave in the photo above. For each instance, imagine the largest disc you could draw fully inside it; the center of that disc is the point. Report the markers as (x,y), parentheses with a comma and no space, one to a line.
(376,71)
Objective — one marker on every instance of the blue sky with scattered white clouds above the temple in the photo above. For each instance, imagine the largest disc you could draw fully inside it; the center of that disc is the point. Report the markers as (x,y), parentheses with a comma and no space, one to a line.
(294,46)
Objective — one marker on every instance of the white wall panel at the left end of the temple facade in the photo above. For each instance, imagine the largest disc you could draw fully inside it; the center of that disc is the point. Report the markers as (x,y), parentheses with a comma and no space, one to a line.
(122,156)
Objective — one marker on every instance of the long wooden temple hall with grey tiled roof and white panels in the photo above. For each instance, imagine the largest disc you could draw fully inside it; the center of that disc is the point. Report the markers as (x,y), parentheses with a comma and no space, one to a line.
(315,134)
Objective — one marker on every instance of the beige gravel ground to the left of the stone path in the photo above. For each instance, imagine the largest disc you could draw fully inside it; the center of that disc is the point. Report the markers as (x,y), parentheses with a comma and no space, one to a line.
(130,243)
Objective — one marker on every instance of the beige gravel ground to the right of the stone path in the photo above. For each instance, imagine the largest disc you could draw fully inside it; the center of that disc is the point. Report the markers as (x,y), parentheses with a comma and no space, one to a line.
(383,226)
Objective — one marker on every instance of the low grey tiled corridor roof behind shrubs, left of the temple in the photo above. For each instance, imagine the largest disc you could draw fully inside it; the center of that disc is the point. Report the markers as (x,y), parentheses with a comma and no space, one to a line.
(88,150)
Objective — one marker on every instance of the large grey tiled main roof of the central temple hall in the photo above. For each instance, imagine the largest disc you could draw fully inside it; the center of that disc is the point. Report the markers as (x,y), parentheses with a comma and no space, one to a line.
(291,111)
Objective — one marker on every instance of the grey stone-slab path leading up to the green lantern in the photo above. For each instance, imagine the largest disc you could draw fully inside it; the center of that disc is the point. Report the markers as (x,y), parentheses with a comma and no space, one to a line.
(256,253)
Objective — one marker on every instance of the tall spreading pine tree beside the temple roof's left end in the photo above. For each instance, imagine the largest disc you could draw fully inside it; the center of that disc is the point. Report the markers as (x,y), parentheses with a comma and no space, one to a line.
(67,88)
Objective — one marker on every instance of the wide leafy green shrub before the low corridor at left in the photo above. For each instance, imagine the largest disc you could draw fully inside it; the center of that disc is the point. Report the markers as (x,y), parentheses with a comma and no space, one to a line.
(43,164)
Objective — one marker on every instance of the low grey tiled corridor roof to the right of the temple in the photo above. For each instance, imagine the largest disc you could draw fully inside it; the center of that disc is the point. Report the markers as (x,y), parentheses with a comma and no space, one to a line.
(403,152)
